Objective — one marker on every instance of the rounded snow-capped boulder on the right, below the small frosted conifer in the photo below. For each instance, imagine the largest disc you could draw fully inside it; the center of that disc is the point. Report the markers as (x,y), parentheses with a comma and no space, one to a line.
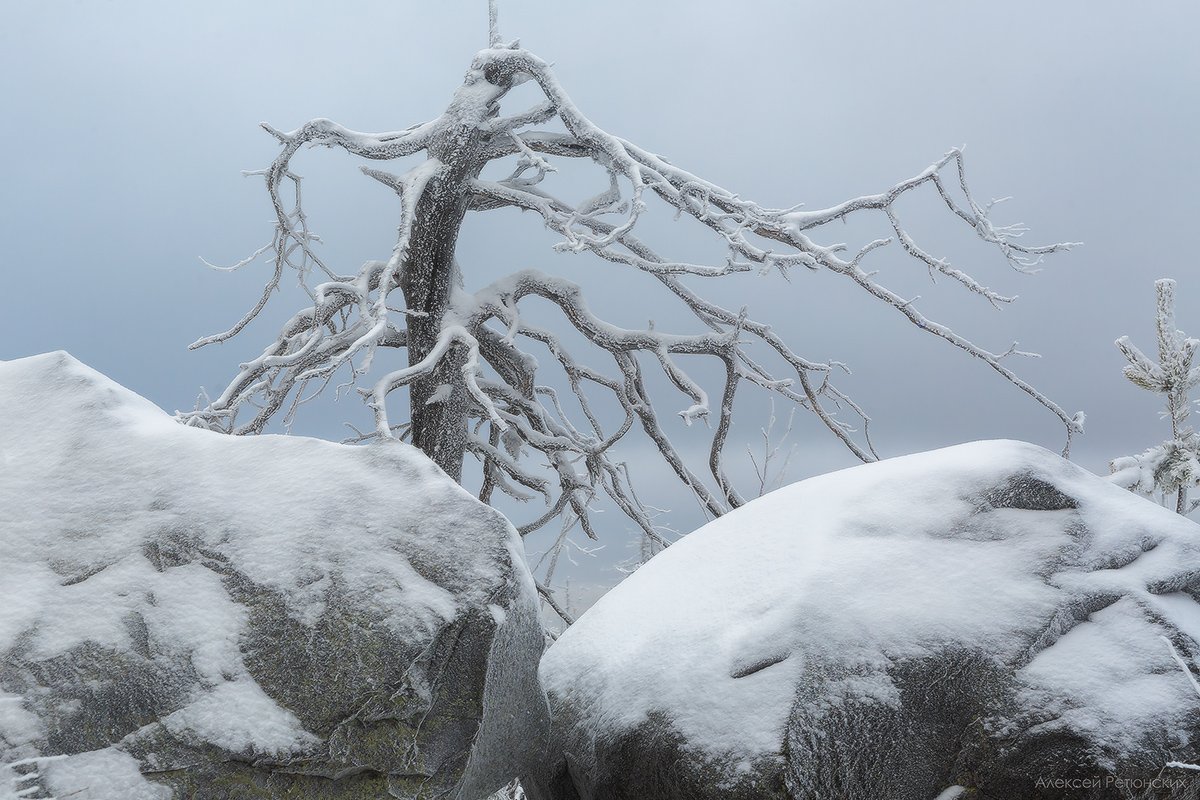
(989,617)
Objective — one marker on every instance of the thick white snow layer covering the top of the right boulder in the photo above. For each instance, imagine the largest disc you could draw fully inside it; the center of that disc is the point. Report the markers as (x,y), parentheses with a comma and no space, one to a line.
(890,562)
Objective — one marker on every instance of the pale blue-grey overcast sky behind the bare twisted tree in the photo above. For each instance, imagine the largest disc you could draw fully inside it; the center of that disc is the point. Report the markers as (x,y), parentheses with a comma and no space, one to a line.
(128,124)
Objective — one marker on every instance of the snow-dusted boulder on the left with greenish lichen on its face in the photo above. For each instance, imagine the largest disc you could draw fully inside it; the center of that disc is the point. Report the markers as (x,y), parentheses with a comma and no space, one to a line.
(188,615)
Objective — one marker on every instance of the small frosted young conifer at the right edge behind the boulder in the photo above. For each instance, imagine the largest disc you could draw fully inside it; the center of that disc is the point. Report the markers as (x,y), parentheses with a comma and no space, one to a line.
(1172,468)
